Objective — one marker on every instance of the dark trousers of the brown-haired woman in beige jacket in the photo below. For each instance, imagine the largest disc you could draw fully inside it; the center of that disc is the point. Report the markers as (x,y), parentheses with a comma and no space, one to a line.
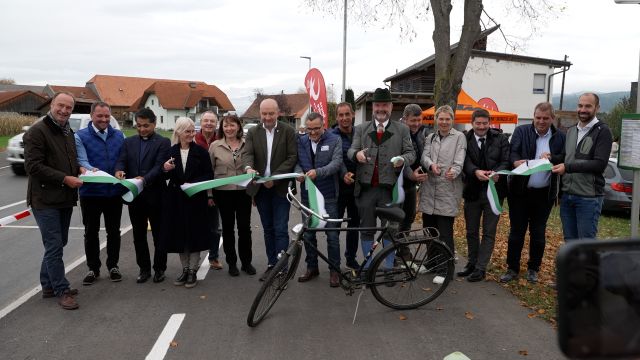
(235,207)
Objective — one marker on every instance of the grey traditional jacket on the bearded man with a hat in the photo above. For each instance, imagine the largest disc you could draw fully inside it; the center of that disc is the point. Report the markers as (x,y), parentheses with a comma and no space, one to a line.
(396,141)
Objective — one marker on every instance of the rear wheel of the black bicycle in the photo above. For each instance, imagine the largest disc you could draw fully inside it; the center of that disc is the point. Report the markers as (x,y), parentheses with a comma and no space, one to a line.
(420,274)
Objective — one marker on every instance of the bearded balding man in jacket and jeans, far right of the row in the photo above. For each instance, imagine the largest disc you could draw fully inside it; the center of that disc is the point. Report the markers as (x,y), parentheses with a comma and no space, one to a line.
(587,153)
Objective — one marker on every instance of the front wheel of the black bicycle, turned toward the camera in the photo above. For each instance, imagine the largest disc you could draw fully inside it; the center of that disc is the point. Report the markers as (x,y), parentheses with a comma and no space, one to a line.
(274,284)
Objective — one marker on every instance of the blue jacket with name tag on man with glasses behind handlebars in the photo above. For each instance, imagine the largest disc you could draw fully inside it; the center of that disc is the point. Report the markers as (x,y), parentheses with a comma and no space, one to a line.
(328,161)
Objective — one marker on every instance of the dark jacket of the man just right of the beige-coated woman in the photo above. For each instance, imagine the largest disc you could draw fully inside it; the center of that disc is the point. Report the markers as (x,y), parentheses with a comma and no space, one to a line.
(496,157)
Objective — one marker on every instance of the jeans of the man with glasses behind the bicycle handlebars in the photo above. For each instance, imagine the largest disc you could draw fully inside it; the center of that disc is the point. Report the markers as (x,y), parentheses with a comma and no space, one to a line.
(333,240)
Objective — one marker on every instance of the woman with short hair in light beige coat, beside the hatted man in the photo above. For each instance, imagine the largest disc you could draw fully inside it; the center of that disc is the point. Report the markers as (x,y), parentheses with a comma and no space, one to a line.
(443,157)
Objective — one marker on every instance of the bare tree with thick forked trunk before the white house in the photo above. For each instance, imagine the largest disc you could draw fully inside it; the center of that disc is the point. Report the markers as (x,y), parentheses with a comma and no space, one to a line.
(450,67)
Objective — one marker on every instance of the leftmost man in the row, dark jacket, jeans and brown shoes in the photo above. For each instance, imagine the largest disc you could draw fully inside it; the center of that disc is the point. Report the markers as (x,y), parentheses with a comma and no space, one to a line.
(52,165)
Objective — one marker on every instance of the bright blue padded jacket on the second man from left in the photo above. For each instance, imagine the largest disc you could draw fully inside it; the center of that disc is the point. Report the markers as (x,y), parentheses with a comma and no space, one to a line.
(102,155)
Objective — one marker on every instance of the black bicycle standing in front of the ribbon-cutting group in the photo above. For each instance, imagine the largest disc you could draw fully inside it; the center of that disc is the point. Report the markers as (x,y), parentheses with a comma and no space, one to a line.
(422,268)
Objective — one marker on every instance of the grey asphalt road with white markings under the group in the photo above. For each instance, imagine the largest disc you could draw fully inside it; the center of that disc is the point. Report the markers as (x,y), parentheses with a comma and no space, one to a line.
(310,321)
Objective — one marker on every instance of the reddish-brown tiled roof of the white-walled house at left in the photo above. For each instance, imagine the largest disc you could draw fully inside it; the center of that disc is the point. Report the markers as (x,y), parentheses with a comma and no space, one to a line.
(183,94)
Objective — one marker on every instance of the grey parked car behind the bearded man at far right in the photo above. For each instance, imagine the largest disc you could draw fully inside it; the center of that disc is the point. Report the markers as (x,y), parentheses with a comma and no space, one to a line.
(618,188)
